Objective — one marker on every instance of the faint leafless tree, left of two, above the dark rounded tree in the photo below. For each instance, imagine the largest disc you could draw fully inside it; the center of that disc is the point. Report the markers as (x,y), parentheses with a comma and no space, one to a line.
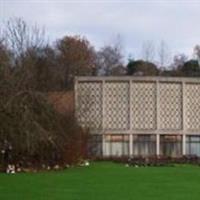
(148,51)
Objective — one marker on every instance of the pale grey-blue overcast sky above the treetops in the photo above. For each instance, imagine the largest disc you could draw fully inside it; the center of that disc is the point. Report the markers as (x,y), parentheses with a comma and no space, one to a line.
(176,22)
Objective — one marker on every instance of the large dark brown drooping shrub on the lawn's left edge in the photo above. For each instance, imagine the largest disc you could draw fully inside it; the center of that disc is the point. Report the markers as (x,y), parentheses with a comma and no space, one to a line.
(34,134)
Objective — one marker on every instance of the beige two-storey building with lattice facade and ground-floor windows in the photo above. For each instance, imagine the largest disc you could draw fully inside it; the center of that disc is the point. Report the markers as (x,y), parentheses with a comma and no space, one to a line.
(132,116)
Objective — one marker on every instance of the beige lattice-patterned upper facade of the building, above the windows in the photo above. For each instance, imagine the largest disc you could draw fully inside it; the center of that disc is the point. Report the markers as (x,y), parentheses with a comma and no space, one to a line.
(144,105)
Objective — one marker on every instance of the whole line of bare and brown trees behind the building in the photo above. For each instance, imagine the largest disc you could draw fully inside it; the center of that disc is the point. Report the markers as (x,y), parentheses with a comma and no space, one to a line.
(38,65)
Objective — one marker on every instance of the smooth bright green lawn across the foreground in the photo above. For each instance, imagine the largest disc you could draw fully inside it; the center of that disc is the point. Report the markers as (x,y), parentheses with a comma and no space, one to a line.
(104,181)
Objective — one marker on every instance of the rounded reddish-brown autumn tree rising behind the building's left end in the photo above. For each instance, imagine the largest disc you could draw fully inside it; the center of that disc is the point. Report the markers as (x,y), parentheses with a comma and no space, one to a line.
(76,58)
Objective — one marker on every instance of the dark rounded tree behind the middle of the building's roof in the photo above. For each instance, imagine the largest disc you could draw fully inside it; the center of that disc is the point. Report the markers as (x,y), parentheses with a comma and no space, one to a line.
(140,67)
